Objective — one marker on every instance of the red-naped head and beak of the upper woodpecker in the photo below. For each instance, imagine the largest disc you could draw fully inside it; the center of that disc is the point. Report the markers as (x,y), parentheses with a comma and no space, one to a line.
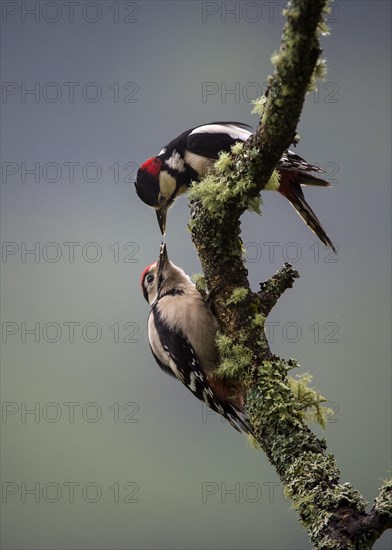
(156,187)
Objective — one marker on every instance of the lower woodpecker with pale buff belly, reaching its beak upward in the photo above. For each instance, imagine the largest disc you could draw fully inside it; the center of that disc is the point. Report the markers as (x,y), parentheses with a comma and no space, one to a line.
(181,333)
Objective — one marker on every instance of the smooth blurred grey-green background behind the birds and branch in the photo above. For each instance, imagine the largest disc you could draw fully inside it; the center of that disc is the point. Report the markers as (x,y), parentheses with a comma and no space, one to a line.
(118,455)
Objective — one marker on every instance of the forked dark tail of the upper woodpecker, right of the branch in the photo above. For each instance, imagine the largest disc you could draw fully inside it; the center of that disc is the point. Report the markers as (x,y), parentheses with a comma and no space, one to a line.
(290,187)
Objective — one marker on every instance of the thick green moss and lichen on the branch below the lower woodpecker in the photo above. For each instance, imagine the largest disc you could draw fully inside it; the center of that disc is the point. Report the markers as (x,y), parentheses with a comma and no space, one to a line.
(311,478)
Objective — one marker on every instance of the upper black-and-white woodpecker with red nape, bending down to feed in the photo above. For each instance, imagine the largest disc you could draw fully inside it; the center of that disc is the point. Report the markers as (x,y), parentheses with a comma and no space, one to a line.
(193,153)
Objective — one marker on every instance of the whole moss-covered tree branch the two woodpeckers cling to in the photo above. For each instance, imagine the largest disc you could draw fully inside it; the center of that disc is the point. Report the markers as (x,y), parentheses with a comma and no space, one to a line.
(333,514)
